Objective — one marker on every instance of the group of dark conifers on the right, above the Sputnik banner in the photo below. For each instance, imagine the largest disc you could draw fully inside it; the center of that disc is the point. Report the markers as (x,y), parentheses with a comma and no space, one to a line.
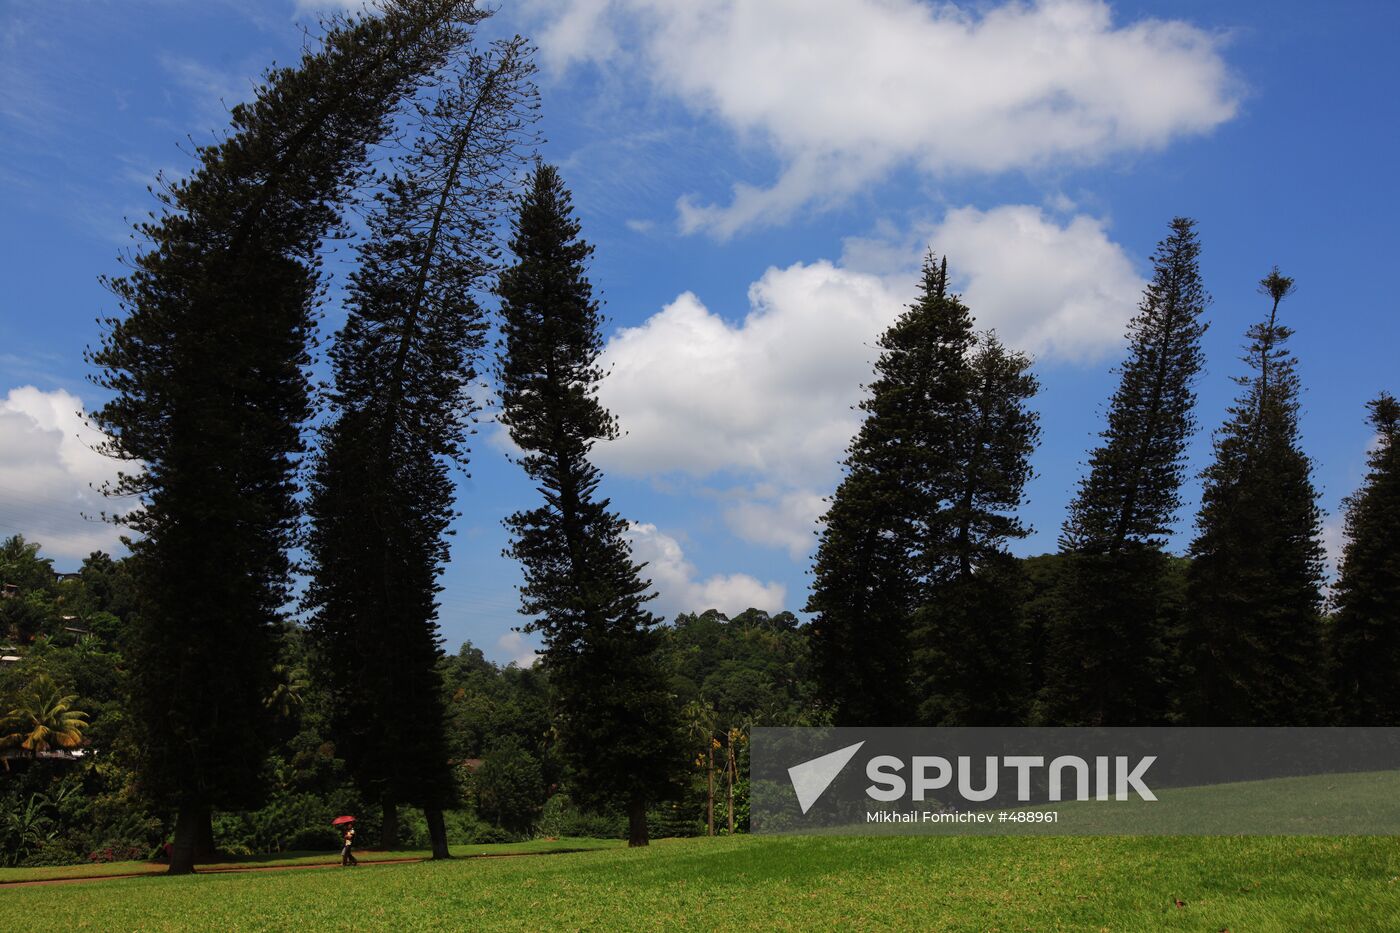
(922,617)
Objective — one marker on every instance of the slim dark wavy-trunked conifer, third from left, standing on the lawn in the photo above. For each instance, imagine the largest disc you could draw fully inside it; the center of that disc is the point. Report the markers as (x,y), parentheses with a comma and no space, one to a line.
(618,729)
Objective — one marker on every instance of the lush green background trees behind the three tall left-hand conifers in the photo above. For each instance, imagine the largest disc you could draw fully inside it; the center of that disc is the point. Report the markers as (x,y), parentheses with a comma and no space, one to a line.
(72,788)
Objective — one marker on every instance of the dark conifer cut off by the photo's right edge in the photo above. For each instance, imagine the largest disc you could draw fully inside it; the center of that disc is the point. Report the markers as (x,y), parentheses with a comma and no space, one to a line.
(1366,633)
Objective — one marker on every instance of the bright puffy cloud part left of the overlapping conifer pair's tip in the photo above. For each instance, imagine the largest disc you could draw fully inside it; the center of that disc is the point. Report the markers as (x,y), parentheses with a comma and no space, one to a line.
(769,397)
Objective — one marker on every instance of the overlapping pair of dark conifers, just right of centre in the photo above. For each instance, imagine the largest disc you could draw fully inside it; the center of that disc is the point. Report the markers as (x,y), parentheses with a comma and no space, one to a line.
(939,462)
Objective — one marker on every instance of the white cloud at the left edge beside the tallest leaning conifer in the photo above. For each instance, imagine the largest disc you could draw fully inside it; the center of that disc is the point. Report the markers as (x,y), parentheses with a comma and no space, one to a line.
(50,474)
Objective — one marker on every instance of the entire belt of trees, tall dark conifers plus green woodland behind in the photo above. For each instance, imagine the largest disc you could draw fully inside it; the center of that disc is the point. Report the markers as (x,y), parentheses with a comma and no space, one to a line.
(268,656)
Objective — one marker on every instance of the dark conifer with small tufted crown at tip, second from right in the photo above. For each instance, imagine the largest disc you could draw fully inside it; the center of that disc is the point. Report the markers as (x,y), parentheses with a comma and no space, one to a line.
(1252,652)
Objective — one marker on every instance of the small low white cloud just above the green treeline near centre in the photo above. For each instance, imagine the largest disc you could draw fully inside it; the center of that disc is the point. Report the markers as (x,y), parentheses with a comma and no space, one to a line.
(678,588)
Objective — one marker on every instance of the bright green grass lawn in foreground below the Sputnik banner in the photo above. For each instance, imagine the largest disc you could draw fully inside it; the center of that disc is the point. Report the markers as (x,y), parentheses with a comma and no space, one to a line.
(953,883)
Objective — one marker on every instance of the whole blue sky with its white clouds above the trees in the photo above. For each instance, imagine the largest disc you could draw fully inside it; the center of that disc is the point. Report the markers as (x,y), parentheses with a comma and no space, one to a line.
(761,181)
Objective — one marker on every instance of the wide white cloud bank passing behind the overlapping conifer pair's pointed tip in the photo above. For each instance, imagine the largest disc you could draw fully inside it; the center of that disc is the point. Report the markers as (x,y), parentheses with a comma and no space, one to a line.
(771,399)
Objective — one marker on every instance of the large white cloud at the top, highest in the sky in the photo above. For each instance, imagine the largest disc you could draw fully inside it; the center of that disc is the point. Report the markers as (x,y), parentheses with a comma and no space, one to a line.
(846,92)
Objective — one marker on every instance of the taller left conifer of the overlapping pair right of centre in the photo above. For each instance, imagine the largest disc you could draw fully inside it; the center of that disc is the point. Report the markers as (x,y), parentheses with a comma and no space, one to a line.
(880,546)
